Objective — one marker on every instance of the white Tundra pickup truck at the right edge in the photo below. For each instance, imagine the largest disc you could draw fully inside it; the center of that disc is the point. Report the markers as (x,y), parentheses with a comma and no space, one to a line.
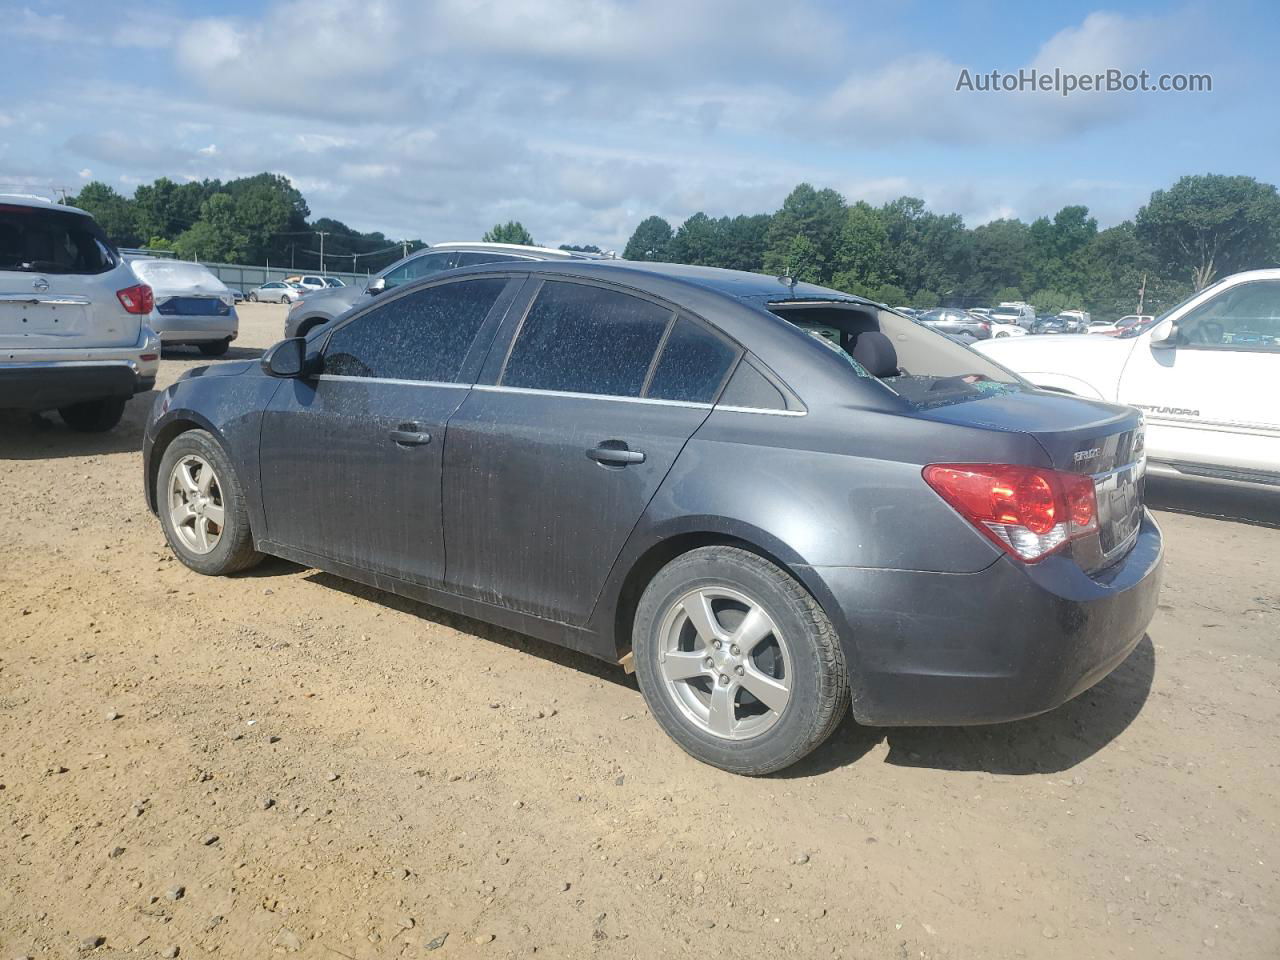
(1206,374)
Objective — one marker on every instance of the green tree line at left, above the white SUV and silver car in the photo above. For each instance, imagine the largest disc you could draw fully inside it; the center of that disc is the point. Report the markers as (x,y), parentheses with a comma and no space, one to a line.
(260,220)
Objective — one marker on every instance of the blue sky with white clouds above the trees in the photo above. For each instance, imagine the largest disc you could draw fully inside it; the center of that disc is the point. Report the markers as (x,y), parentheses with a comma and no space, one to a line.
(582,117)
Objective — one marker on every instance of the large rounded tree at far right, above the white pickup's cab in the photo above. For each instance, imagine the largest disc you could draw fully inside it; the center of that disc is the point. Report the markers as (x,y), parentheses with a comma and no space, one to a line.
(1210,226)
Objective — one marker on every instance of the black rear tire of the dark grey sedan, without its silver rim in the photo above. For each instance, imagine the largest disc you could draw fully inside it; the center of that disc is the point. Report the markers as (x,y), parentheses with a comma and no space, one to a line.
(819,683)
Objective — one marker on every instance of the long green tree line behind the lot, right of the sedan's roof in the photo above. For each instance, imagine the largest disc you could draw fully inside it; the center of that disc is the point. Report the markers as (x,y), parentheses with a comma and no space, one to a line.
(1203,228)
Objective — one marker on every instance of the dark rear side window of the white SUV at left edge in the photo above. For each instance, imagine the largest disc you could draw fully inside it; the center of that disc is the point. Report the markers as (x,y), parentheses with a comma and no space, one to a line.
(38,240)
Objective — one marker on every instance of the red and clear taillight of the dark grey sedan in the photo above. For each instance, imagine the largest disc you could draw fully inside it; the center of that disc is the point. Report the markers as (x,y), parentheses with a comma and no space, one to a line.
(1027,511)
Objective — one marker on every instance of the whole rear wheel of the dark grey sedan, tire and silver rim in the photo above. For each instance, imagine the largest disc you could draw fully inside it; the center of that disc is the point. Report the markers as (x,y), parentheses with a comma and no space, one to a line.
(738,662)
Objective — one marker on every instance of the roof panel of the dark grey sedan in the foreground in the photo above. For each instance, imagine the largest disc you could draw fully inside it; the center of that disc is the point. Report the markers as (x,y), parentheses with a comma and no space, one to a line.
(738,285)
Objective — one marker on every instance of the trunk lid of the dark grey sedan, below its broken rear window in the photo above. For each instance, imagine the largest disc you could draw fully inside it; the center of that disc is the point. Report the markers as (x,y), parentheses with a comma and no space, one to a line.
(1103,441)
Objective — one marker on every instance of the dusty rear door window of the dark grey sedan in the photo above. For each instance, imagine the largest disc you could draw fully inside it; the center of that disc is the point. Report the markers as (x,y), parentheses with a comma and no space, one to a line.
(587,340)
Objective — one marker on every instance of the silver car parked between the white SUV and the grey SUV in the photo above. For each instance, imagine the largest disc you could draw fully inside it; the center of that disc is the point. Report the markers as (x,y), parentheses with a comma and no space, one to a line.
(193,305)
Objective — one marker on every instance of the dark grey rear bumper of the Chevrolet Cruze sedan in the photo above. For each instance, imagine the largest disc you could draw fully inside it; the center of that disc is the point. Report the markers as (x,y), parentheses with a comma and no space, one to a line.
(1009,642)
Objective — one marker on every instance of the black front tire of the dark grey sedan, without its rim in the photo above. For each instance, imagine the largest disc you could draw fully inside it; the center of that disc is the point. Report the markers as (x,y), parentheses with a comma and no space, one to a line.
(235,548)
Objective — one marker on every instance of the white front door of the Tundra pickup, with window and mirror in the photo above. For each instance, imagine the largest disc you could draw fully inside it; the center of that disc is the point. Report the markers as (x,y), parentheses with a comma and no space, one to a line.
(1210,391)
